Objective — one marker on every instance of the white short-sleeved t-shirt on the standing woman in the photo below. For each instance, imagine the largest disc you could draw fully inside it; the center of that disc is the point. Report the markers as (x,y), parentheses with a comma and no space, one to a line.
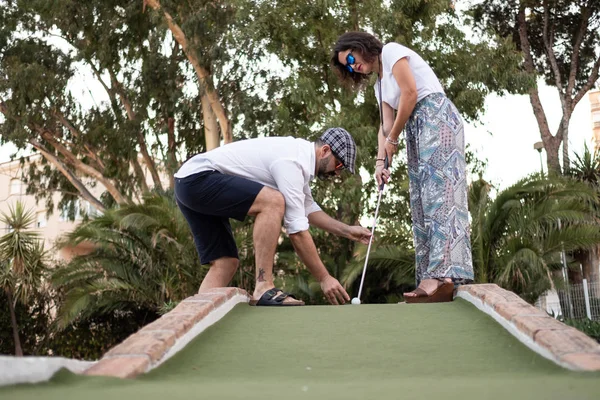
(425,79)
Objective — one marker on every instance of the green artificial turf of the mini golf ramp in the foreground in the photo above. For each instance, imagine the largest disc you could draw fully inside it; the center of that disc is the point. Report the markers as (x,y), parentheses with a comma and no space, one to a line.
(437,351)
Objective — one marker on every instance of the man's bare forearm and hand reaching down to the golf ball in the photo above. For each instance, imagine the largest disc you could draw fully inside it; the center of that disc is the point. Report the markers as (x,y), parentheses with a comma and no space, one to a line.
(307,251)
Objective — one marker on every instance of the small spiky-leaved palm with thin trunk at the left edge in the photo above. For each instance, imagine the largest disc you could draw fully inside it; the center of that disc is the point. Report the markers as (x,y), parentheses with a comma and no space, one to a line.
(23,267)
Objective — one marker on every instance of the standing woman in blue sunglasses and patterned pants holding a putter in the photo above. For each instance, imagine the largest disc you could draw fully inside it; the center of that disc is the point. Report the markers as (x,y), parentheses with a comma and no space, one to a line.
(408,87)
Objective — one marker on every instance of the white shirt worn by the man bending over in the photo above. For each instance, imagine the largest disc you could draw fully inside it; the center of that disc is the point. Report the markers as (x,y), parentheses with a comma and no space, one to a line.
(286,164)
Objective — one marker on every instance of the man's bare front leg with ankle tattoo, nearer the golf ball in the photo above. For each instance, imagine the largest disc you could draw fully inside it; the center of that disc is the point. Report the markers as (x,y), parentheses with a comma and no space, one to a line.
(268,209)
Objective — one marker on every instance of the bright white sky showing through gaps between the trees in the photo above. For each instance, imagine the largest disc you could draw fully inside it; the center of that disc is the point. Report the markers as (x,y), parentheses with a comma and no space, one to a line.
(504,136)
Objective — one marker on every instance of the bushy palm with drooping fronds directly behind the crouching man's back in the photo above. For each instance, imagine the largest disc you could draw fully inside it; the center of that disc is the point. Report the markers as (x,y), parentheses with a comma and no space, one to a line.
(143,257)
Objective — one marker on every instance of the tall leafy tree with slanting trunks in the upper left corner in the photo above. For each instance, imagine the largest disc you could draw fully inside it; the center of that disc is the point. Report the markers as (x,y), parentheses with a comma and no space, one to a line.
(47,48)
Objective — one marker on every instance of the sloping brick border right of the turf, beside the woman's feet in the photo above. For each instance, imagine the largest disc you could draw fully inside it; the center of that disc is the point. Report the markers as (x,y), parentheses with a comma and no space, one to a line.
(548,337)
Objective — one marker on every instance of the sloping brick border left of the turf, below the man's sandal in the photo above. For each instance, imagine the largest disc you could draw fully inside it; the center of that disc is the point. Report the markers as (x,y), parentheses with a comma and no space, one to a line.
(159,340)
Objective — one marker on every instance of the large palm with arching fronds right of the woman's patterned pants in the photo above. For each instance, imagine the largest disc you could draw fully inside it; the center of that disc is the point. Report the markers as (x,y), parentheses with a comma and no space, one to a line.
(518,237)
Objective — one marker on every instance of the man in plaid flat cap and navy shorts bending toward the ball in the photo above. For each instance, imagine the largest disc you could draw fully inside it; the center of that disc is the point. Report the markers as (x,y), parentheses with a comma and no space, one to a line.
(267,178)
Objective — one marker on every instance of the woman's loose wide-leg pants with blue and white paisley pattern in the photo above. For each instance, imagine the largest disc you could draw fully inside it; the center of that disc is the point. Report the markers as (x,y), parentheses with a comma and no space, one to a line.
(438,190)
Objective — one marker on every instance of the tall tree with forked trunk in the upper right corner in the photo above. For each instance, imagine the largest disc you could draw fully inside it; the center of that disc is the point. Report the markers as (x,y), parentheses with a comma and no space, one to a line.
(559,41)
